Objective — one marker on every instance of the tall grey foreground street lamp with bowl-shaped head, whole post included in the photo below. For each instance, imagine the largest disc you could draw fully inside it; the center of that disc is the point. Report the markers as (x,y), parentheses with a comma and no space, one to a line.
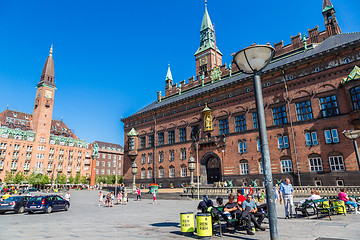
(252,60)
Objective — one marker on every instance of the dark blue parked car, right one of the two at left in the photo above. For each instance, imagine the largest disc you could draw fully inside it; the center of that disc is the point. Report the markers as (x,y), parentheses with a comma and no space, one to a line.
(47,204)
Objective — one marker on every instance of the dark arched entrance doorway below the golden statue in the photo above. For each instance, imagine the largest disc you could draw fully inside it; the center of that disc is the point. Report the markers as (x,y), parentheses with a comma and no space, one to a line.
(210,168)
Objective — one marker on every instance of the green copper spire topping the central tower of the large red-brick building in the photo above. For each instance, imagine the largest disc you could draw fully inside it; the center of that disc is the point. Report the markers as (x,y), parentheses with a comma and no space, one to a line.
(207,33)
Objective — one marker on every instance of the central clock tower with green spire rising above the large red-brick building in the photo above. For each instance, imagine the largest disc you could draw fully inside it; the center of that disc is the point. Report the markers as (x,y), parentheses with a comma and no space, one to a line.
(208,55)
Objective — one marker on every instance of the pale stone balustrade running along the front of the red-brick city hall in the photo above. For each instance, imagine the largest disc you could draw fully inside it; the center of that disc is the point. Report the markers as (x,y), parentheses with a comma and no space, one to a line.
(299,191)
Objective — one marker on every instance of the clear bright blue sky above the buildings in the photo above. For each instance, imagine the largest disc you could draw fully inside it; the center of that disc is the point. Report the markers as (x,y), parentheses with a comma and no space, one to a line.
(111,56)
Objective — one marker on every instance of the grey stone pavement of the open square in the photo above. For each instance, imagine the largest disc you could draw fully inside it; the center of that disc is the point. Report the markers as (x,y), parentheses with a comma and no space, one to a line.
(142,219)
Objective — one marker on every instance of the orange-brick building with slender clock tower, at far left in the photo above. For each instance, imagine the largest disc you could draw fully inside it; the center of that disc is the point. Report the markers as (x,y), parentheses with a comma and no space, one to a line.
(38,143)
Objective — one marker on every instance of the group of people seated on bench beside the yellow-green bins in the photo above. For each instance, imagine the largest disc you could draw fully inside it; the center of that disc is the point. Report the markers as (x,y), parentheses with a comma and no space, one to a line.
(241,209)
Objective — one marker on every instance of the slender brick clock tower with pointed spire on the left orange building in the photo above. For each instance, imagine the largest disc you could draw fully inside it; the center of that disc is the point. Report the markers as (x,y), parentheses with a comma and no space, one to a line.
(44,100)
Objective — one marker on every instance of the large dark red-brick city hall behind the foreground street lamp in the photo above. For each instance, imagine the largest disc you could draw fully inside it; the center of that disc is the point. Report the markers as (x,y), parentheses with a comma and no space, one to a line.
(311,93)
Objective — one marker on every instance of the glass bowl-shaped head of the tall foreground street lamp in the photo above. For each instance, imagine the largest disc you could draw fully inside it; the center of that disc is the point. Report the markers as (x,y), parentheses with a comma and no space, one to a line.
(254,58)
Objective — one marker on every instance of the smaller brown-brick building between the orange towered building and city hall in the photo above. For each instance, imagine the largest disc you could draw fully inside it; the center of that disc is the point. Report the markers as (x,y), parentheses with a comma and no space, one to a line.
(110,159)
